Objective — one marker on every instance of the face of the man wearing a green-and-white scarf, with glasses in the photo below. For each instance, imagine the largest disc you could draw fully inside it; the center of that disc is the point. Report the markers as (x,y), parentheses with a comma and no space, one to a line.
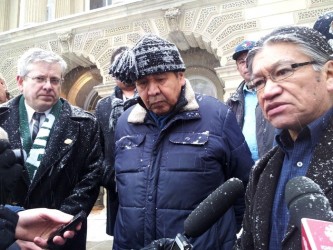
(41,86)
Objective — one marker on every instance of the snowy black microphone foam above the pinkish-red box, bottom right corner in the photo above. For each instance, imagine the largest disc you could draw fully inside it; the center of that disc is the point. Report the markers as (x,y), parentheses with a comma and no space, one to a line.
(305,199)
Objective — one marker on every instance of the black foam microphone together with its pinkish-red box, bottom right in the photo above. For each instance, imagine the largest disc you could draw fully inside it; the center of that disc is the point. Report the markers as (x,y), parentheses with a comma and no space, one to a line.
(311,212)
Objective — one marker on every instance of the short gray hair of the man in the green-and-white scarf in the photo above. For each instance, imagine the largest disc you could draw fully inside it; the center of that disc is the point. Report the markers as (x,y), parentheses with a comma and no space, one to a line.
(35,55)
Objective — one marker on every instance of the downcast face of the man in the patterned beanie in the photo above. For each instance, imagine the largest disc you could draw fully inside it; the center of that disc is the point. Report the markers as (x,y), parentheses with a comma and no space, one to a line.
(160,92)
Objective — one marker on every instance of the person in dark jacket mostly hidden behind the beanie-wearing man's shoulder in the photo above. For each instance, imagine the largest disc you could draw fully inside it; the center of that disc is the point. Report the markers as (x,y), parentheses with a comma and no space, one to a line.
(107,112)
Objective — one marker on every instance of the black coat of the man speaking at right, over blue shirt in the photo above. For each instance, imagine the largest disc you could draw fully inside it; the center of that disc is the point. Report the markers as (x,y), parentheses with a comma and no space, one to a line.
(261,191)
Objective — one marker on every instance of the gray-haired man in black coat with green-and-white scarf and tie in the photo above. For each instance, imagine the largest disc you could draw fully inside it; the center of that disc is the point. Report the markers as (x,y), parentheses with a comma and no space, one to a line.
(63,165)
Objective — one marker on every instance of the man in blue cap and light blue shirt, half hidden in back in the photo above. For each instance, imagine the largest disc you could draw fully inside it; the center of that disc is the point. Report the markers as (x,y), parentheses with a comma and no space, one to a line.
(258,132)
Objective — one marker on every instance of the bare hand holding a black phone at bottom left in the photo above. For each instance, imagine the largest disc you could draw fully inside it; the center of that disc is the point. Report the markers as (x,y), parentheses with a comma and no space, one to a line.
(37,224)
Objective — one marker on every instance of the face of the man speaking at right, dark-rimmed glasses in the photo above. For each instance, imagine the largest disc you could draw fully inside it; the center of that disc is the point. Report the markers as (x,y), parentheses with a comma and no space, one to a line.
(297,100)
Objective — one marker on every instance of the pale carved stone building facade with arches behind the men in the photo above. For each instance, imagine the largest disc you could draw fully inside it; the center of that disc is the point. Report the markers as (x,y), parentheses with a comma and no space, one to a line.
(86,32)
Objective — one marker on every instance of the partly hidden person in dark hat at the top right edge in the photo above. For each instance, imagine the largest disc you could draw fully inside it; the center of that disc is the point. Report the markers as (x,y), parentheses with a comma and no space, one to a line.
(324,24)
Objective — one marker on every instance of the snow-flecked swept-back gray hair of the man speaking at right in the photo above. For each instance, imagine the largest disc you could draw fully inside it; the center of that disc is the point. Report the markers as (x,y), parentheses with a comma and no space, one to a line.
(309,41)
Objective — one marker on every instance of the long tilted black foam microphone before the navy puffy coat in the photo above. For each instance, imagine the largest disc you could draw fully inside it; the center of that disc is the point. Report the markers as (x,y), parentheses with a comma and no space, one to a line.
(213,207)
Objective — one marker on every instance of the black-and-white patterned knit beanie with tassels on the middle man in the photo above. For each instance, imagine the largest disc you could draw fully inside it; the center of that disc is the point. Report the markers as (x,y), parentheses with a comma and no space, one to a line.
(150,55)
